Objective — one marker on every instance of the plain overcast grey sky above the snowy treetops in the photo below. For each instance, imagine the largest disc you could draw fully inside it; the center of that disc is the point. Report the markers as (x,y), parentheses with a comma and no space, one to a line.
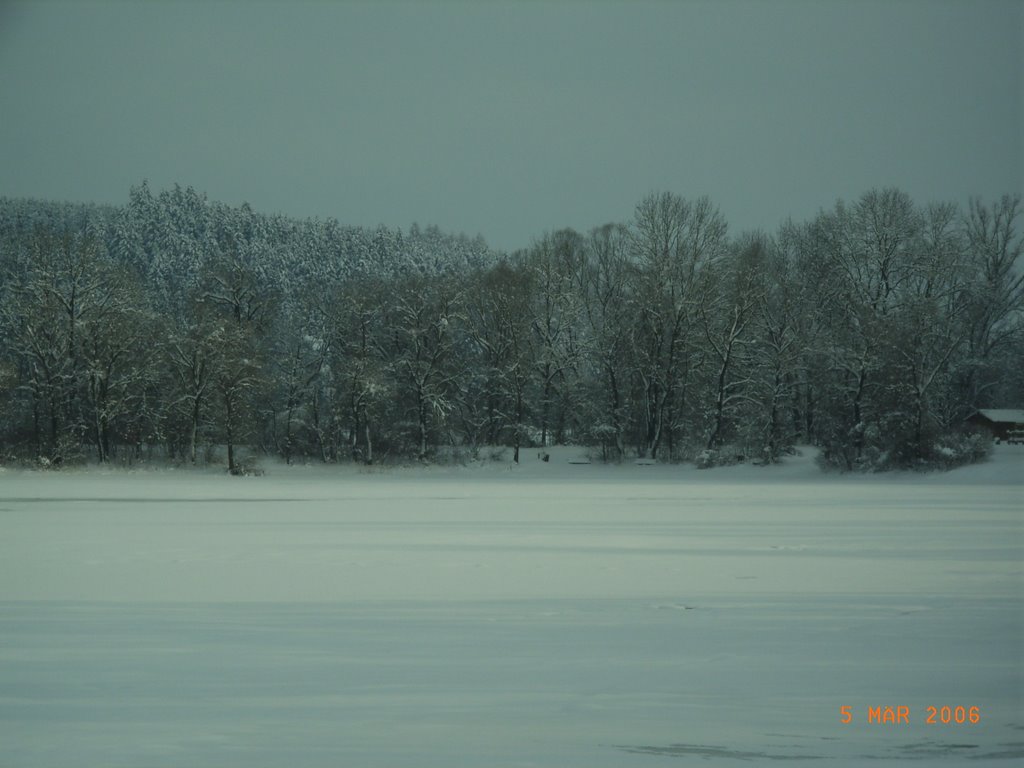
(509,119)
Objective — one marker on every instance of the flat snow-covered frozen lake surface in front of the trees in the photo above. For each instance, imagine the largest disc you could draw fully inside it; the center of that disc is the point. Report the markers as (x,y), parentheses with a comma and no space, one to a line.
(552,615)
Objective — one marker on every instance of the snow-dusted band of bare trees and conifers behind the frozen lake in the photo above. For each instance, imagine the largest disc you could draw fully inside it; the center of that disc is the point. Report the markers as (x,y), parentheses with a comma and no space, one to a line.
(178,328)
